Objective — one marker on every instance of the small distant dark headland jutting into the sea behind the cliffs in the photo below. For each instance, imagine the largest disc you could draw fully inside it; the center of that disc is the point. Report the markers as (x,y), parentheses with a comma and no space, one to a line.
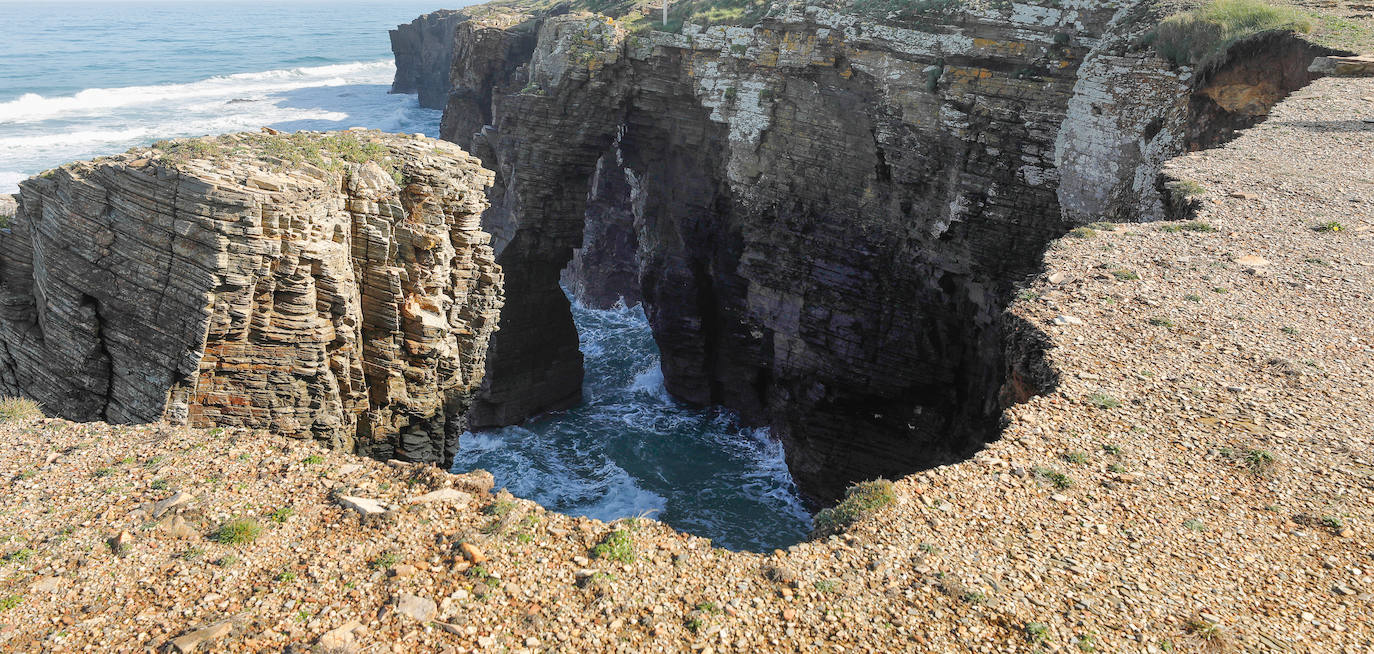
(424,52)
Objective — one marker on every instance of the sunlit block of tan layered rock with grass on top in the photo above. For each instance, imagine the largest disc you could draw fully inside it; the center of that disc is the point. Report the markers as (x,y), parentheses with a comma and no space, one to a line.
(322,286)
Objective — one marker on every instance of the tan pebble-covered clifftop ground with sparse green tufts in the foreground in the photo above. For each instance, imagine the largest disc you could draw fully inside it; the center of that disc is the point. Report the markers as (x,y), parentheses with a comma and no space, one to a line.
(1200,482)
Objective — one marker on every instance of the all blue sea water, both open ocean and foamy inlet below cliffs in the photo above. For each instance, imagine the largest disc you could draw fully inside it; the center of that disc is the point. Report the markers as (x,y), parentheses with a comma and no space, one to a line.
(98,78)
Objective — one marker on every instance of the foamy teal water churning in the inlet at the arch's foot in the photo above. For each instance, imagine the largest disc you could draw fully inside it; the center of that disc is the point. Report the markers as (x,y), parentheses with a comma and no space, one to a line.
(631,450)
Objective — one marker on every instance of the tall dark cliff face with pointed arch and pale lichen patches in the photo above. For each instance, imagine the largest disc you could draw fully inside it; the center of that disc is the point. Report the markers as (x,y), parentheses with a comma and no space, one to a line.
(824,214)
